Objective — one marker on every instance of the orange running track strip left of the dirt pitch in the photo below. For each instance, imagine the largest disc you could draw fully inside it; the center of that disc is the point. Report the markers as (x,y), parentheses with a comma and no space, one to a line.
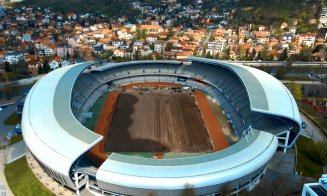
(97,153)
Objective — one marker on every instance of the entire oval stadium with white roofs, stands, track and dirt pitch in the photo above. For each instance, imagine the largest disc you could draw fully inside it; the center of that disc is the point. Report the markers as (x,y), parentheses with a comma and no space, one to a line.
(158,127)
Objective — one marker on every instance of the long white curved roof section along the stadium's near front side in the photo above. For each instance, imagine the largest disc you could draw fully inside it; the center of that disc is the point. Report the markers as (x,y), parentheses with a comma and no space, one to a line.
(232,163)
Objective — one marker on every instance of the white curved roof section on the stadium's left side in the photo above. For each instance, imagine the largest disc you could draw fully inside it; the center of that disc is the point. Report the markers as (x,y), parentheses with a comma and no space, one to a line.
(50,130)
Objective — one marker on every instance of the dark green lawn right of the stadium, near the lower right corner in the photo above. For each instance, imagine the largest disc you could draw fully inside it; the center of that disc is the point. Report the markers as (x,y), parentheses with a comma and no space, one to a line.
(306,164)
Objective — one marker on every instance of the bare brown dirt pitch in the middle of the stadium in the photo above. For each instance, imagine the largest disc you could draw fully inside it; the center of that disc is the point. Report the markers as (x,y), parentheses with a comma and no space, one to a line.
(156,122)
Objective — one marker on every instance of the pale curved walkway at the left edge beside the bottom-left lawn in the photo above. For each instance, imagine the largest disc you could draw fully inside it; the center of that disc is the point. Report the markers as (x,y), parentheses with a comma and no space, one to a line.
(4,187)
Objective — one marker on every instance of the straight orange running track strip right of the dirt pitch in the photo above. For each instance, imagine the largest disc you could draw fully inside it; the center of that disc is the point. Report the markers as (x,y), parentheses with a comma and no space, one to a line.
(219,139)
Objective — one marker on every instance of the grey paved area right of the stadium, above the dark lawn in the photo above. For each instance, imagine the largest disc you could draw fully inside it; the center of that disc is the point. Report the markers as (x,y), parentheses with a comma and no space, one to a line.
(312,130)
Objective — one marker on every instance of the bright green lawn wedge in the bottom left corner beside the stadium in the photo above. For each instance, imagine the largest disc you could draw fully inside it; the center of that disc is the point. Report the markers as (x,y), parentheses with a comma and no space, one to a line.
(22,180)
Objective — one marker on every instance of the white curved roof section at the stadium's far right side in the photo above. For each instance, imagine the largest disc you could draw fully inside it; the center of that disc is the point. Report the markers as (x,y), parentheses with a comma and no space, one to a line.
(266,93)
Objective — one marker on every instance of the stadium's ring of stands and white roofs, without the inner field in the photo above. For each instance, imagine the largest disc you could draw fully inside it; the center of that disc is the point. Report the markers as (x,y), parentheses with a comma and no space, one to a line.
(261,110)
